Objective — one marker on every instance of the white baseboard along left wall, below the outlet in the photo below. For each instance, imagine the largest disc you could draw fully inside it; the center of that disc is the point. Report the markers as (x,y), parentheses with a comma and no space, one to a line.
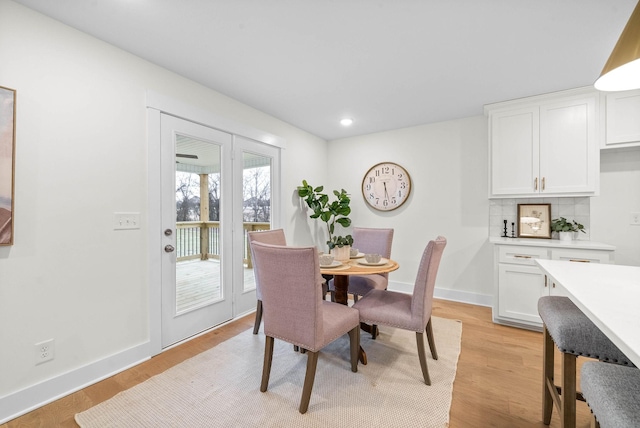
(28,399)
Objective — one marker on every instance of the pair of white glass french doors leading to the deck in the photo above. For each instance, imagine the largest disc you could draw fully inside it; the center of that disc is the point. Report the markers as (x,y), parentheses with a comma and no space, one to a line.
(215,187)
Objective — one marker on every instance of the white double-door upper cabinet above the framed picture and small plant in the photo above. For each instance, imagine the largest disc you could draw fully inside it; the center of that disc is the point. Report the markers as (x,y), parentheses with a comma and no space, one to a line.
(544,146)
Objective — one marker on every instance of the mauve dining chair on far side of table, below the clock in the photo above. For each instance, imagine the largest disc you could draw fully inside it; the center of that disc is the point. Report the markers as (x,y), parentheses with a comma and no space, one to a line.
(369,240)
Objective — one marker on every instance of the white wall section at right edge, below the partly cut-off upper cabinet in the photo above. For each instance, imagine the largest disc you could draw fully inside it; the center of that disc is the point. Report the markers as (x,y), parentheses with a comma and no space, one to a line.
(619,197)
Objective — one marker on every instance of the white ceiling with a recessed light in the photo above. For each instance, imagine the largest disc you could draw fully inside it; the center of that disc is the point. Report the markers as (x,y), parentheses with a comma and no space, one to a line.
(389,64)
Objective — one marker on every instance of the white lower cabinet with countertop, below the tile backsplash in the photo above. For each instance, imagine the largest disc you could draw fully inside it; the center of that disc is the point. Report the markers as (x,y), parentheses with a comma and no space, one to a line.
(520,283)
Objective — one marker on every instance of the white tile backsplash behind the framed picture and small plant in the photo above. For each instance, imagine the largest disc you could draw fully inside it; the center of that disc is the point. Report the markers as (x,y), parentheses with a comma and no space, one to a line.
(577,209)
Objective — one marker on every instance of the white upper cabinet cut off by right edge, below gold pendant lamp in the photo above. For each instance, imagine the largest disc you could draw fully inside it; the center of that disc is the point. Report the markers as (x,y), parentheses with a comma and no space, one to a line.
(622,119)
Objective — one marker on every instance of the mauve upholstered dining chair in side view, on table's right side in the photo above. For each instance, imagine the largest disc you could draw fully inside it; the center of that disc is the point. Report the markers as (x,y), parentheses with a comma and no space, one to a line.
(409,311)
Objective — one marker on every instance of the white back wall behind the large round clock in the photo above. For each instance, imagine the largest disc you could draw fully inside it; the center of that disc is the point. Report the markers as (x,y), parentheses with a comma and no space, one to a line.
(448,165)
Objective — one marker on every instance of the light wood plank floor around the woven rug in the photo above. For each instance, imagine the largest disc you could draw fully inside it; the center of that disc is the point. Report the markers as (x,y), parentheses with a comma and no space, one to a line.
(498,382)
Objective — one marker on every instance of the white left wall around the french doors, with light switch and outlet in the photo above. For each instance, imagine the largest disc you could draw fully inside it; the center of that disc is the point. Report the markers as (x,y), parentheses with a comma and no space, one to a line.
(81,155)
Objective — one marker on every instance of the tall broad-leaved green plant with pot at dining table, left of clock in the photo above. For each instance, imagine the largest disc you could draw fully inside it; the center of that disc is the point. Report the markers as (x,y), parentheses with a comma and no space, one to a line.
(331,213)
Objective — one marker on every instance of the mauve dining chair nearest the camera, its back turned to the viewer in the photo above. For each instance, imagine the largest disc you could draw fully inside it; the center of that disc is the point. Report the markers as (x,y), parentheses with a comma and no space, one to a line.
(295,312)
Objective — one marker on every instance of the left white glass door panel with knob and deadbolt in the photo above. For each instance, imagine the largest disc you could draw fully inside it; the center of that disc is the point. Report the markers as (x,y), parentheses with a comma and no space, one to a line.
(196,272)
